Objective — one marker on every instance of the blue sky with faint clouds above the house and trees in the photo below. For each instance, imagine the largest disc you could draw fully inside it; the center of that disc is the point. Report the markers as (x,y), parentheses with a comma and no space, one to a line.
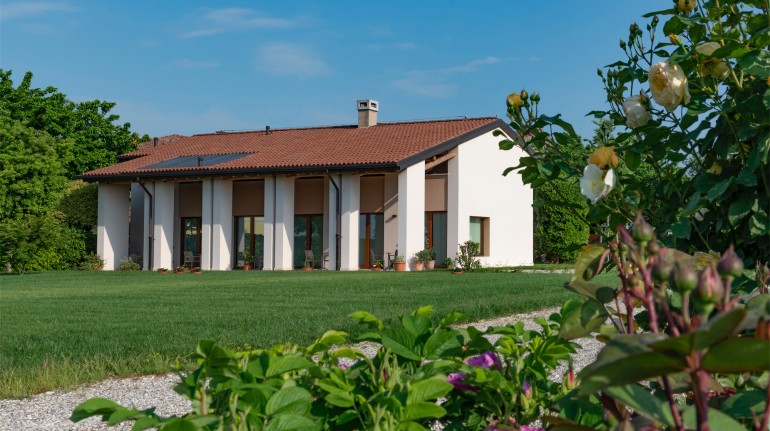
(193,67)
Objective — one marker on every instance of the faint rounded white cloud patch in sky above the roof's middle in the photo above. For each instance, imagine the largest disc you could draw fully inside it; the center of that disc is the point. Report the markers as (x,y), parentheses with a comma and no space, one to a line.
(282,58)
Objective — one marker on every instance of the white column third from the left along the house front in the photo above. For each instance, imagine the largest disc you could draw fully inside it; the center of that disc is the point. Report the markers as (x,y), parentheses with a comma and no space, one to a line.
(222,225)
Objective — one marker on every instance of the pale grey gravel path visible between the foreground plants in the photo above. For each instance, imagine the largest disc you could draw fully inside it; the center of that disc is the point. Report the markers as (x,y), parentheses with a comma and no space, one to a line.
(51,410)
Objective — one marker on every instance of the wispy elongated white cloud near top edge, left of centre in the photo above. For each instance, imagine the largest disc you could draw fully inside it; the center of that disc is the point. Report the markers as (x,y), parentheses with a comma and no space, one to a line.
(234,19)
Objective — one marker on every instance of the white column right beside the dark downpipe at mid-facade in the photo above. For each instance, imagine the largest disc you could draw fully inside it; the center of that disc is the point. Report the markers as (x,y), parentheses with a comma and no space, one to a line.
(351,202)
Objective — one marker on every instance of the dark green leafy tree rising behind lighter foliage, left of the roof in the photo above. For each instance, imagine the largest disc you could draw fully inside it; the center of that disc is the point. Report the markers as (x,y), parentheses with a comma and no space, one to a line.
(95,136)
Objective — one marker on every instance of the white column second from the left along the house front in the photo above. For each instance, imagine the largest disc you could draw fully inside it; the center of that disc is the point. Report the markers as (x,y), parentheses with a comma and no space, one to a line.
(164,225)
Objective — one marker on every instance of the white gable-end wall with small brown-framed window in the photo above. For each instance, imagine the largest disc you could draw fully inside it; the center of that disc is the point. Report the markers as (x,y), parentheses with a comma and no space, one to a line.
(479,189)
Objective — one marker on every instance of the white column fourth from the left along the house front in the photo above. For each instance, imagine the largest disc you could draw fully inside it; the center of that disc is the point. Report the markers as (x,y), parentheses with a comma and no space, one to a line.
(284,222)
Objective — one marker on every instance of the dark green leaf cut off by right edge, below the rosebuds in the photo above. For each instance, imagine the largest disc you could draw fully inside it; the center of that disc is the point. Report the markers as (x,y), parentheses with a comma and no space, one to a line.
(722,358)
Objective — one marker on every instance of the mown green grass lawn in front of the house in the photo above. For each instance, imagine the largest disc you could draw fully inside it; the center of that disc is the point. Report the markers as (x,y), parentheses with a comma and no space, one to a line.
(62,329)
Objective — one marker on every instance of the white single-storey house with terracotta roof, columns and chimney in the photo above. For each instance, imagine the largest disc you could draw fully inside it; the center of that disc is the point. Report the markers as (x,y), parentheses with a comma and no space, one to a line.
(348,194)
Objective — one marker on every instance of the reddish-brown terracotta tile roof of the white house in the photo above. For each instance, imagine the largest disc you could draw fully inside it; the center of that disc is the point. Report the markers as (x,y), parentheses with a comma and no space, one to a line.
(386,145)
